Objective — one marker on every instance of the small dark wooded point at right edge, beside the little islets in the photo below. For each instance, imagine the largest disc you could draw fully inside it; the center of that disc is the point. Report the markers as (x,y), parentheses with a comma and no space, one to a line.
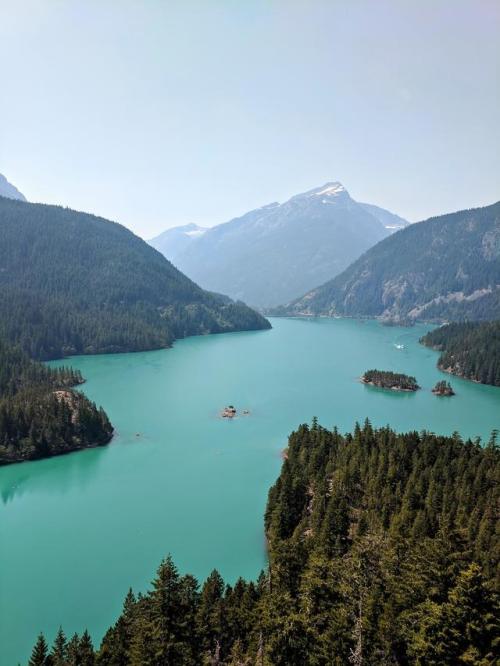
(470,350)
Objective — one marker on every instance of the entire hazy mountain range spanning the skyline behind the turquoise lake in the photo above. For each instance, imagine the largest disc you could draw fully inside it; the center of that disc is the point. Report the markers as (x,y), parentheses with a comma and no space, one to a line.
(444,268)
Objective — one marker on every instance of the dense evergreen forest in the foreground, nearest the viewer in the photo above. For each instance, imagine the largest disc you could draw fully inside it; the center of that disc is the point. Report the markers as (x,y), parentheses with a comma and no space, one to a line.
(383,550)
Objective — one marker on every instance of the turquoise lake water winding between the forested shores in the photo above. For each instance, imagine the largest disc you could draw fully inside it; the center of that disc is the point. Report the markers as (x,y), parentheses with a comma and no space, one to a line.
(78,530)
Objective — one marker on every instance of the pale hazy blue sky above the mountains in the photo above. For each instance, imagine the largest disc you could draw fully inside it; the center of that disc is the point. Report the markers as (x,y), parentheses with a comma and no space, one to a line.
(156,113)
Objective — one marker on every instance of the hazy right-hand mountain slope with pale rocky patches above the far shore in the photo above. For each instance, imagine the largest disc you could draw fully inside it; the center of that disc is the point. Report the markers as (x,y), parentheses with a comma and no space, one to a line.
(446,268)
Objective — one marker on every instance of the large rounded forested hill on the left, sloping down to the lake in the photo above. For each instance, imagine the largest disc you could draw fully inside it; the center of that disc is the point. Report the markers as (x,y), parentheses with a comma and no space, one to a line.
(73,283)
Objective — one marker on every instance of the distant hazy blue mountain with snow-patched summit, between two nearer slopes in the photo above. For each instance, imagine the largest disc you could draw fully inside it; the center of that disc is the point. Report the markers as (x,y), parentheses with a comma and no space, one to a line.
(278,252)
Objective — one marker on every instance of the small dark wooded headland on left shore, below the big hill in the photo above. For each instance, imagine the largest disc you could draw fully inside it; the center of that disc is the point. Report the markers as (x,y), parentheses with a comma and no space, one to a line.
(40,415)
